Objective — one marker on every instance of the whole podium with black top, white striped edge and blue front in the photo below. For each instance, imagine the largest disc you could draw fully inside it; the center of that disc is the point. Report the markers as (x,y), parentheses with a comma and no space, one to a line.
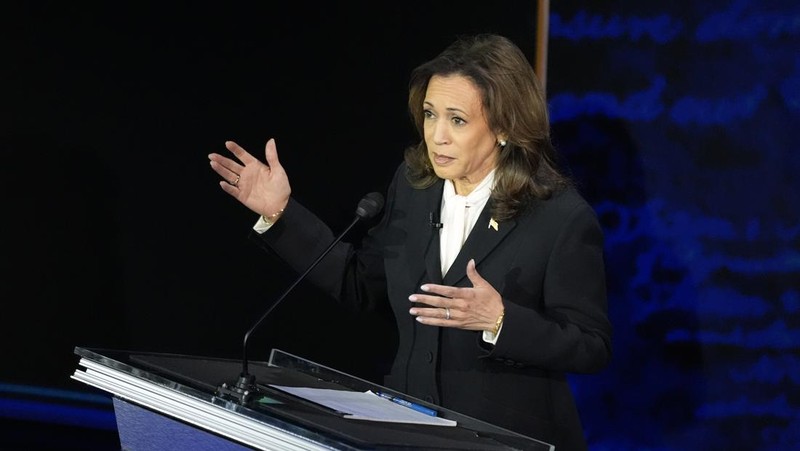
(171,401)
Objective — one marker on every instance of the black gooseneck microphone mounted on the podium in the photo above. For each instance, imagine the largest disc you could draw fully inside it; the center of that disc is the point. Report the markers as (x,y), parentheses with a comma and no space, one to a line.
(245,387)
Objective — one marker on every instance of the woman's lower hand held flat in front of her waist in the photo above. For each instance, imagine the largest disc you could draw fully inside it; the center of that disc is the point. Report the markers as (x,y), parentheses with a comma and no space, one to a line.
(470,308)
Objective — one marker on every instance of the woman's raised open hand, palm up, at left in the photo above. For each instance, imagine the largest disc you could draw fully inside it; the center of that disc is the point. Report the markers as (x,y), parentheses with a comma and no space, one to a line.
(263,188)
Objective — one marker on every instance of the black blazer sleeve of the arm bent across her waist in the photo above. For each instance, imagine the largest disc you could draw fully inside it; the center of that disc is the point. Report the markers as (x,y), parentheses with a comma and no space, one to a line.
(571,332)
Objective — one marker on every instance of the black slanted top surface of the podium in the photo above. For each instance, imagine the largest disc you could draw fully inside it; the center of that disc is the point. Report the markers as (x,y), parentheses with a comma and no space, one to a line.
(199,377)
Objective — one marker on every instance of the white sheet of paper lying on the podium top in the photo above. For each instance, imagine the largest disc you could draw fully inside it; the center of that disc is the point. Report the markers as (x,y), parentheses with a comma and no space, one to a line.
(364,406)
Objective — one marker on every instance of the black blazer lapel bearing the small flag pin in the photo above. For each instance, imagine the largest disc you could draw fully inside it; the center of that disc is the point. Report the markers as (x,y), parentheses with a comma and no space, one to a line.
(483,238)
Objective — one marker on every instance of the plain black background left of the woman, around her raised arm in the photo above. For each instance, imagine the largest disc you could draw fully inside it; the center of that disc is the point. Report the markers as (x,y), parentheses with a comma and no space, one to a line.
(120,231)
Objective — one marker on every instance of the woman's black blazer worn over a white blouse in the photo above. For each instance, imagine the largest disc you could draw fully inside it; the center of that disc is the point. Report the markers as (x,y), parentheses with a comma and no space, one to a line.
(548,265)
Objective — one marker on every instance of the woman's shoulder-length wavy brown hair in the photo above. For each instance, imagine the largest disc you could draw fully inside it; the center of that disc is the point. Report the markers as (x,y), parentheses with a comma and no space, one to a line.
(514,104)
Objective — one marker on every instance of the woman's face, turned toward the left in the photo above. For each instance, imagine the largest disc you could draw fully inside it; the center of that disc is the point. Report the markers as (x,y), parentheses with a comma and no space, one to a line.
(461,146)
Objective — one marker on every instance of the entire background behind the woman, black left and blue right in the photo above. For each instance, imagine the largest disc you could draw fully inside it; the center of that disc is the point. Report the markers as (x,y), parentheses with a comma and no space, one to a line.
(679,122)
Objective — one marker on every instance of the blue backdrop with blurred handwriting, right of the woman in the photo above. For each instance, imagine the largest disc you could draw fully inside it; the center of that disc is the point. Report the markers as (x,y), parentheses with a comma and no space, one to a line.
(681,121)
